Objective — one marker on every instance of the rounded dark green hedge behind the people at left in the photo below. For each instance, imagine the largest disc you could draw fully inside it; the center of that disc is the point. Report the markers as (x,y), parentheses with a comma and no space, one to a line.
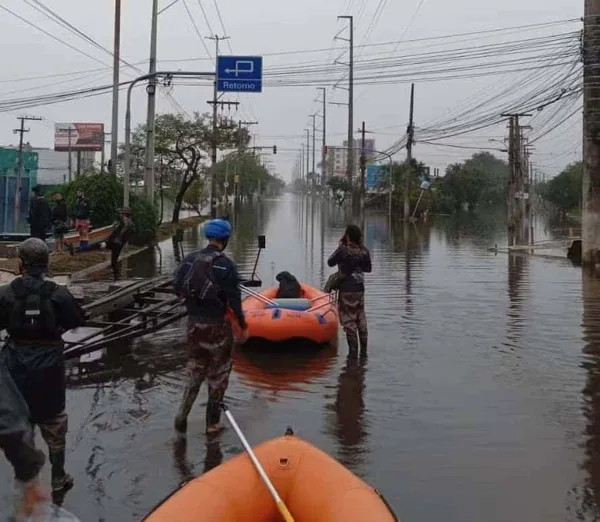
(105,195)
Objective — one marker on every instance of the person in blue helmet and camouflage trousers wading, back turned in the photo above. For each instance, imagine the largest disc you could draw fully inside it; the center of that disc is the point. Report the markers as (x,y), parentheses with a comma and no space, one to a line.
(208,281)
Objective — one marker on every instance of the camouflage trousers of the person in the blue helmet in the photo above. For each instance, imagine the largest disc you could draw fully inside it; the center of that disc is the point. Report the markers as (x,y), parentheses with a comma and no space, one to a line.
(209,358)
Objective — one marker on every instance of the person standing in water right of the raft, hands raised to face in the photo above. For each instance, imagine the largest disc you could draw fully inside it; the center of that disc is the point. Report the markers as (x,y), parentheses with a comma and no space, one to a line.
(353,261)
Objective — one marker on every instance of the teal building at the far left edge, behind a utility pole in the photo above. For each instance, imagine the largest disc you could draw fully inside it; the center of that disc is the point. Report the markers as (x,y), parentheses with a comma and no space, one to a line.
(9,166)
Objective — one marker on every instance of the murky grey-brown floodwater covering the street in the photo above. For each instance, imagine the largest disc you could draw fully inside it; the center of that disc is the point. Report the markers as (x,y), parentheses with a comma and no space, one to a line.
(479,398)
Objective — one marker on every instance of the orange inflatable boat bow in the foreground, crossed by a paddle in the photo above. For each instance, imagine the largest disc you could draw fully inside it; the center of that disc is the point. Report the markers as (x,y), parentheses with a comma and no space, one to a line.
(313,486)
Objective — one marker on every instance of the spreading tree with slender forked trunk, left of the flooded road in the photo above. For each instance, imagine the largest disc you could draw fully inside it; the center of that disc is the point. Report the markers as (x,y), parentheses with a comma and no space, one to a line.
(183,146)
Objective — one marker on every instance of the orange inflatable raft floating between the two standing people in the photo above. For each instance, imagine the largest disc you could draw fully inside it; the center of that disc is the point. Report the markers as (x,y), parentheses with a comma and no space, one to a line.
(313,317)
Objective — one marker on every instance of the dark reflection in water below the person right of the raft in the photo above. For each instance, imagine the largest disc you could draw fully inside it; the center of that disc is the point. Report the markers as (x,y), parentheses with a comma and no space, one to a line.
(350,427)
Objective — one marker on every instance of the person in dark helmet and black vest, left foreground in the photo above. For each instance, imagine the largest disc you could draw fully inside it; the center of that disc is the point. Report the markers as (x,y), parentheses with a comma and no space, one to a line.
(36,312)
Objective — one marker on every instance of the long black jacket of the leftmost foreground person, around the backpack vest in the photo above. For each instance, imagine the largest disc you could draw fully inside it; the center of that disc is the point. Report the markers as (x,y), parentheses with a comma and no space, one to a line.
(39,371)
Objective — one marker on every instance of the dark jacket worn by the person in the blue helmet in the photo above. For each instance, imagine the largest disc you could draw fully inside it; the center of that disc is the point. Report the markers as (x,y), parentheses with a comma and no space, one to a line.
(227,278)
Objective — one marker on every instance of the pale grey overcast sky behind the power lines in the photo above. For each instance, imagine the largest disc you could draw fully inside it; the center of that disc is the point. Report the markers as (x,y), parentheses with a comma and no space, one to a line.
(264,27)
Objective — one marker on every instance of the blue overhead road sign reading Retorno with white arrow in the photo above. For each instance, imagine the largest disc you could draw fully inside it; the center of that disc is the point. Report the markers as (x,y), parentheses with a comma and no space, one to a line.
(239,74)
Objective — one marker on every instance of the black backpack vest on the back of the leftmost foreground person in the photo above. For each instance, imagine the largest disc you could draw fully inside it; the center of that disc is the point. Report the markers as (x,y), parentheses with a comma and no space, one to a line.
(33,317)
